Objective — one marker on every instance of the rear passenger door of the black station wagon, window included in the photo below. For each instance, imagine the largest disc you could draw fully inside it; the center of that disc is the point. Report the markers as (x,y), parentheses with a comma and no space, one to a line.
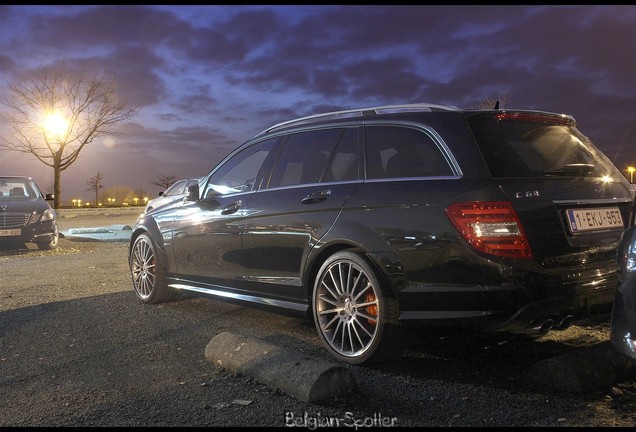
(314,174)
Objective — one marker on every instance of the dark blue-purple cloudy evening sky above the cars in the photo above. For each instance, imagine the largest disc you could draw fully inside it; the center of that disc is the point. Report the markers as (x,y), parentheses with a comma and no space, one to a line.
(207,78)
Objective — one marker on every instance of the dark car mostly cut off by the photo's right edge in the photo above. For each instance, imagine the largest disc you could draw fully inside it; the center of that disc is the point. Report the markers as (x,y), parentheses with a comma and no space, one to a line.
(623,320)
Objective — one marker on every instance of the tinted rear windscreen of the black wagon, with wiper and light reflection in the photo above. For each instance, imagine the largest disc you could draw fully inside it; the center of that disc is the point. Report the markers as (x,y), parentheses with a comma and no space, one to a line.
(535,146)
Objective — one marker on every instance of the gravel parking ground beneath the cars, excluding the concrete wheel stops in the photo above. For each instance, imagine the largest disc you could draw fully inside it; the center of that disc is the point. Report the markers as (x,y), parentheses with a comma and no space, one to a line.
(78,349)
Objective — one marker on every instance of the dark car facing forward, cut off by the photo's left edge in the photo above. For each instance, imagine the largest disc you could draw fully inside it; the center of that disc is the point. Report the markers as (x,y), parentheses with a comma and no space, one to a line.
(25,215)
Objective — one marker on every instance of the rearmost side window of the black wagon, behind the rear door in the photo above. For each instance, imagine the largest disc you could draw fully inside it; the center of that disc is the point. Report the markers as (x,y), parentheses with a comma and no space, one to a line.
(398,151)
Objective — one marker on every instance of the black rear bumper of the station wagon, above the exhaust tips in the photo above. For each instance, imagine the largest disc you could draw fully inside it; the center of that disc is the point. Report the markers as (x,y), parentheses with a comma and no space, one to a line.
(539,304)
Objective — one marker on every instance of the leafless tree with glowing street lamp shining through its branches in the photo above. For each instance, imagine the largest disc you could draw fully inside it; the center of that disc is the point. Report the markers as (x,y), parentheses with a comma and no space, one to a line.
(55,114)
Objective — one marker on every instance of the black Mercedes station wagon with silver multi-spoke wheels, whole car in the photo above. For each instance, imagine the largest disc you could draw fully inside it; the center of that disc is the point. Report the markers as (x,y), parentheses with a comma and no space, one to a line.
(372,220)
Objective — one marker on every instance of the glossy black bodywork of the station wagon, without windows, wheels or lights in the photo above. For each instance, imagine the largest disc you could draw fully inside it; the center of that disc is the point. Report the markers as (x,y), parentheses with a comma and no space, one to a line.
(265,245)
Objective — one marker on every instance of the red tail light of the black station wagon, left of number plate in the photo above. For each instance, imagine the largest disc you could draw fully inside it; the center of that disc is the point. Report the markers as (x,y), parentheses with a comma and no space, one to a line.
(491,227)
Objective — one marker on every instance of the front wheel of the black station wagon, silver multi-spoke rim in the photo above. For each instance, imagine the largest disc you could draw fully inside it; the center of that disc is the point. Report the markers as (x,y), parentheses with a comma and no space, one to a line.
(148,272)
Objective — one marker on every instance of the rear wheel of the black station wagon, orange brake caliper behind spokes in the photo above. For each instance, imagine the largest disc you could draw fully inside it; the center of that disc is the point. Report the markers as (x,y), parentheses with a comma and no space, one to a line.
(355,318)
